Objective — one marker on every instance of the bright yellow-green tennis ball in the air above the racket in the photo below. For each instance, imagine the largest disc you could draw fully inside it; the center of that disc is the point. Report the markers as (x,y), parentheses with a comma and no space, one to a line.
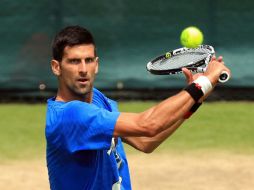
(191,37)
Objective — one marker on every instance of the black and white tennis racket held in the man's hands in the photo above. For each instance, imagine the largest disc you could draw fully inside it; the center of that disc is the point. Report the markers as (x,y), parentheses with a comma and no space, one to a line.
(194,59)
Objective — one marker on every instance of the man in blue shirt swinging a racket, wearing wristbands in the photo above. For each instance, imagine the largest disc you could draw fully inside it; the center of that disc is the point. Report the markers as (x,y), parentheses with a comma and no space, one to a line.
(84,129)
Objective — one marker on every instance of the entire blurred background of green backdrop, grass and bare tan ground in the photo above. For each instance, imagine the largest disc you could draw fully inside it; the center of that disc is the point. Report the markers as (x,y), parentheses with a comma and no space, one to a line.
(212,150)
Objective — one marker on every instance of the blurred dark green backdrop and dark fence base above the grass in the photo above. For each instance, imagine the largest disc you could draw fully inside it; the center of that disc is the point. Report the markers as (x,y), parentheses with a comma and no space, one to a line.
(128,34)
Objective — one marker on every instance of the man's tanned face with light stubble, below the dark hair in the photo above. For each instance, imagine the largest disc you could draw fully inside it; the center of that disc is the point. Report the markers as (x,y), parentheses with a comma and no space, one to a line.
(77,70)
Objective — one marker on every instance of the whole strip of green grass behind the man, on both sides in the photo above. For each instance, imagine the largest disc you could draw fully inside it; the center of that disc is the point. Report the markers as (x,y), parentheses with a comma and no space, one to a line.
(227,126)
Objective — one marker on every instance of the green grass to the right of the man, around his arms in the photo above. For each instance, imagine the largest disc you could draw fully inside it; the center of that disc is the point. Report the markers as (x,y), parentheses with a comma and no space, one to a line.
(227,126)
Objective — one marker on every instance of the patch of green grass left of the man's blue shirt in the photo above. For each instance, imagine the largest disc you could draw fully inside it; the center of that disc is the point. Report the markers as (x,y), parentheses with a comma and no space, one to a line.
(22,131)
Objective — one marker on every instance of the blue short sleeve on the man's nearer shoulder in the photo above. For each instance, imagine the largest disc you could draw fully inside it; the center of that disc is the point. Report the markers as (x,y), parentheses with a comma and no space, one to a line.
(87,127)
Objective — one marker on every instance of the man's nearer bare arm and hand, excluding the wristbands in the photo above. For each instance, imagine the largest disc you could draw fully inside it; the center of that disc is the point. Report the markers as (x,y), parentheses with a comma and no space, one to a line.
(162,116)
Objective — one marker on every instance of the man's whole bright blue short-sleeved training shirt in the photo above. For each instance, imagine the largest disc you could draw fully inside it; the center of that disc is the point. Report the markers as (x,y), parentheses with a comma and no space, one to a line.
(81,151)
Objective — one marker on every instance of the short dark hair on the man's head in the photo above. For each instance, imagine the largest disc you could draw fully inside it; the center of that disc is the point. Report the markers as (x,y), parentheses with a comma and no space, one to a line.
(70,36)
